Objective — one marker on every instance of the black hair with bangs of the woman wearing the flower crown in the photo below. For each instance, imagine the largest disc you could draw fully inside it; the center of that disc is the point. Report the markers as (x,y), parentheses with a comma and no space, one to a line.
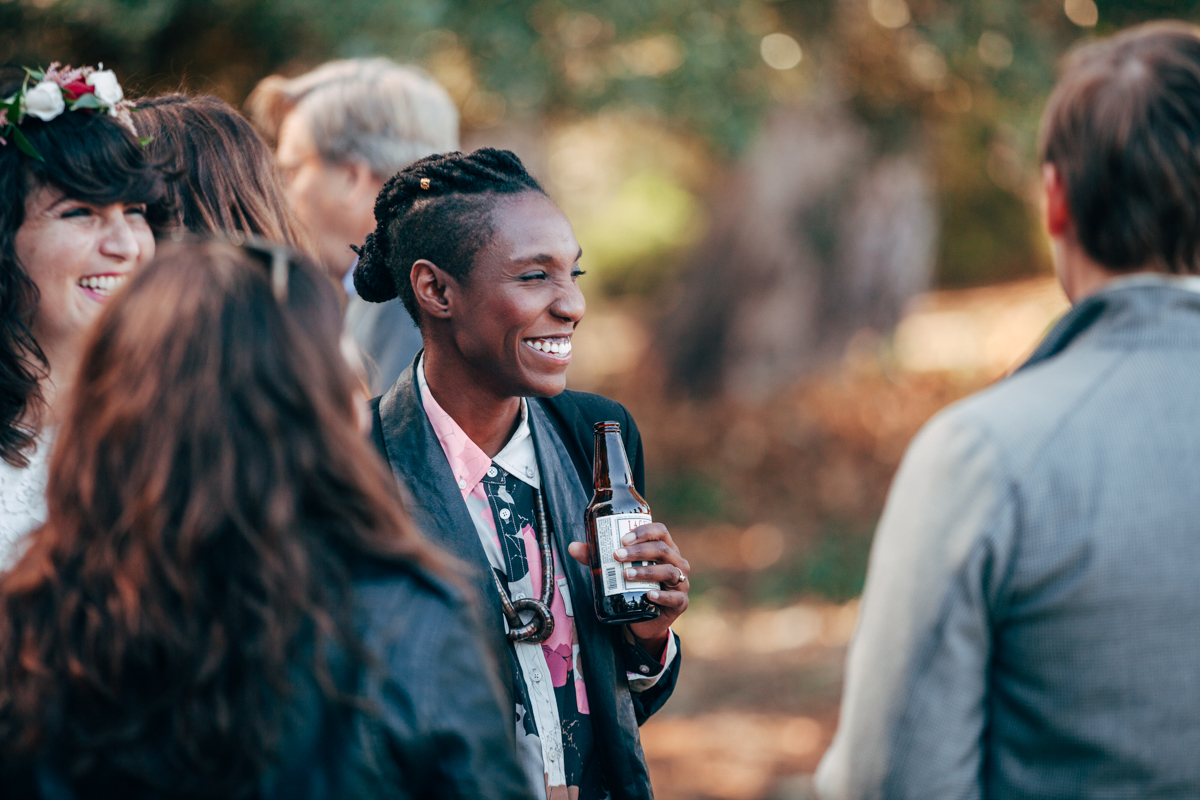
(88,158)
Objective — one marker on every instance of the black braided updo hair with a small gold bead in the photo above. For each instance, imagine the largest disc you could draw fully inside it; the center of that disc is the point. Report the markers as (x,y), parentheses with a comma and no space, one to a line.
(439,209)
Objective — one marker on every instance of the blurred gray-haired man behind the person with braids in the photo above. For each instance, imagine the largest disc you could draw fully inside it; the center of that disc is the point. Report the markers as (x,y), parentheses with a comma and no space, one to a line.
(343,131)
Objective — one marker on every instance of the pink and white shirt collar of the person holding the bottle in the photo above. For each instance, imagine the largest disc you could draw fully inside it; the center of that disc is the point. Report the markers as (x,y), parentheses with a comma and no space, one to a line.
(469,462)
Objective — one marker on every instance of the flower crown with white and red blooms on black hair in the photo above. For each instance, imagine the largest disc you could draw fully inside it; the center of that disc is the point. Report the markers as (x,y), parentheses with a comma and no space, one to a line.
(49,94)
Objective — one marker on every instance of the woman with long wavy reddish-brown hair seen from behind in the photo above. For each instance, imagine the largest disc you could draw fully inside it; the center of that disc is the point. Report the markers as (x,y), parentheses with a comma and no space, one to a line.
(227,599)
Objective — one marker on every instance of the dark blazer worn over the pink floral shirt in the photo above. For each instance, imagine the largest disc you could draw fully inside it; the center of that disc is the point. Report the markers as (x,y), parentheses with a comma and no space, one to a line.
(562,431)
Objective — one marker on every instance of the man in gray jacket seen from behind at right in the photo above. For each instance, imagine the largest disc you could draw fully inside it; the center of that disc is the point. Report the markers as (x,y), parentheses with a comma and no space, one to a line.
(1031,621)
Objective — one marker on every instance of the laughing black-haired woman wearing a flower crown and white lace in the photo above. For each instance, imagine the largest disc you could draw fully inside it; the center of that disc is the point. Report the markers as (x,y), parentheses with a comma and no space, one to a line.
(74,224)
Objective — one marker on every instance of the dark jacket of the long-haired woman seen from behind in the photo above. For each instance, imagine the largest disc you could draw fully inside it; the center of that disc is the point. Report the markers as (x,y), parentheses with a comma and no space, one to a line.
(435,727)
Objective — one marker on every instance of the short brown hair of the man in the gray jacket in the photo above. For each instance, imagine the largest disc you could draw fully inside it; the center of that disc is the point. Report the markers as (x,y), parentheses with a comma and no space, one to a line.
(1123,129)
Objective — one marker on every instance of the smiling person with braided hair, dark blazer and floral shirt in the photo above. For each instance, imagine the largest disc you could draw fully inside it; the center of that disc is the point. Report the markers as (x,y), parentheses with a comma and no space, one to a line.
(481,429)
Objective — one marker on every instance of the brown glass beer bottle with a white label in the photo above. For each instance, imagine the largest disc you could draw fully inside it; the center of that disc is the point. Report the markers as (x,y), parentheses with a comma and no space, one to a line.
(616,510)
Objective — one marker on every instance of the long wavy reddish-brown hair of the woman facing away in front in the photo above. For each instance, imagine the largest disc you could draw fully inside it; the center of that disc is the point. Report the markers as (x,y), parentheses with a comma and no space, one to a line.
(211,496)
